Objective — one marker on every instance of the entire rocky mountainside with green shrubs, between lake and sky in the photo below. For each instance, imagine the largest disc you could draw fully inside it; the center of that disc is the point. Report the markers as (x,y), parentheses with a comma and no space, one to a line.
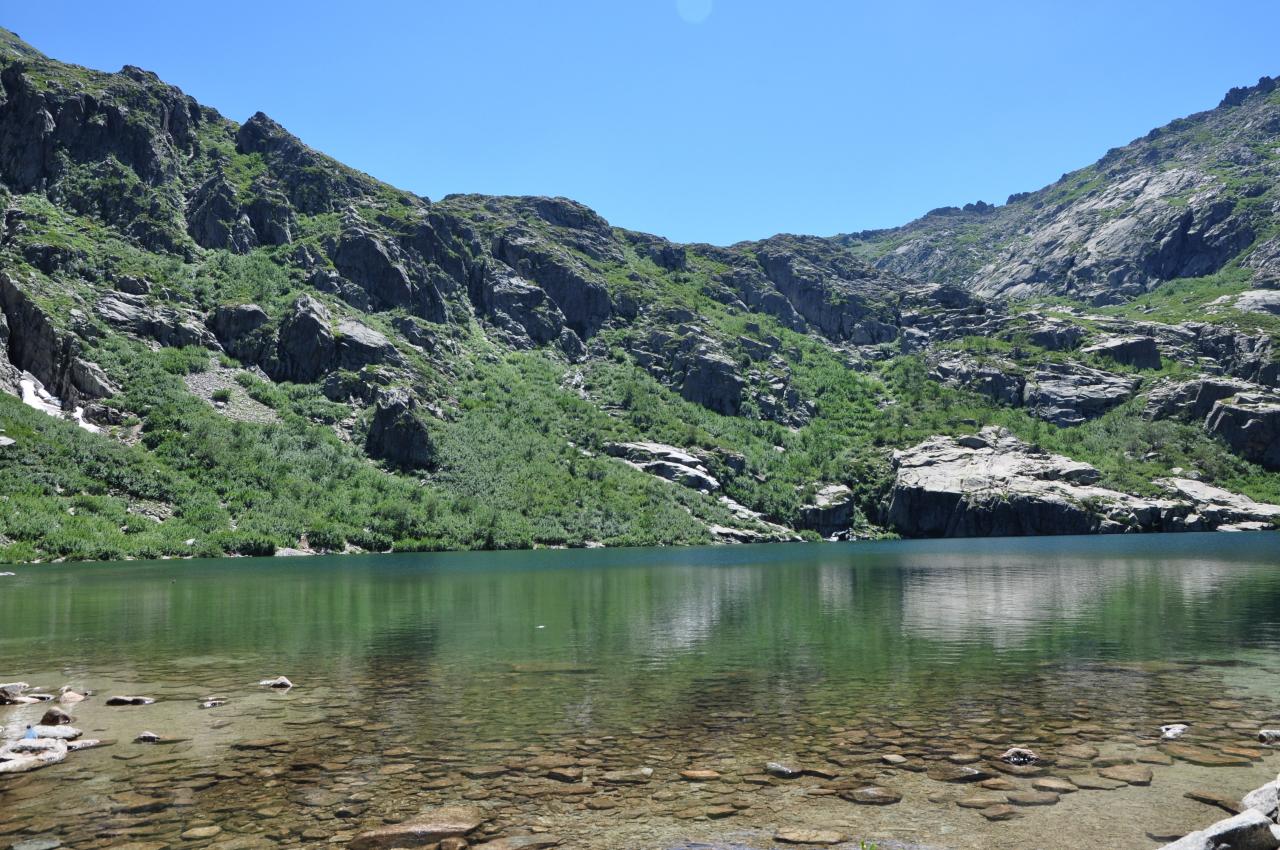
(222,341)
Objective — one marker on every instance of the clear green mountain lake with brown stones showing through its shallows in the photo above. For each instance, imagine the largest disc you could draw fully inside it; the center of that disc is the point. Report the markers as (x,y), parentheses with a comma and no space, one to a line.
(459,679)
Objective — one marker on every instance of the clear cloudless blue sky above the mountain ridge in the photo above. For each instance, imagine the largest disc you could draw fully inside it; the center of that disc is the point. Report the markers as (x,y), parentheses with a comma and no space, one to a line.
(708,121)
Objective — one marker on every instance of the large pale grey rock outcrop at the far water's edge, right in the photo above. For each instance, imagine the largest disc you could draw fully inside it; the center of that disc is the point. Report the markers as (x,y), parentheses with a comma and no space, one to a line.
(993,485)
